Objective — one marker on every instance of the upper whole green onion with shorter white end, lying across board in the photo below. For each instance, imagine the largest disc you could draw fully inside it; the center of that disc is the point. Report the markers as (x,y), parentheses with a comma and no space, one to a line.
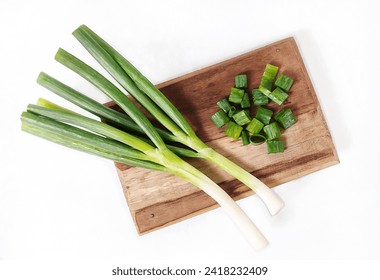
(156,103)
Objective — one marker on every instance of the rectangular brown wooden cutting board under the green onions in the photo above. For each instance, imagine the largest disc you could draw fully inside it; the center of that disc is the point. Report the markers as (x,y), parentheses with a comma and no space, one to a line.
(157,200)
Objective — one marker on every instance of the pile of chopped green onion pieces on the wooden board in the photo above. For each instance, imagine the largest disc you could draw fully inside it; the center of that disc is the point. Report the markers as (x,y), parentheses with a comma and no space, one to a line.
(235,110)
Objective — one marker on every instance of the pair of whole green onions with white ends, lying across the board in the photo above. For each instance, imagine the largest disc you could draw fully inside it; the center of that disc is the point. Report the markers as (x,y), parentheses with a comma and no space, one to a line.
(131,138)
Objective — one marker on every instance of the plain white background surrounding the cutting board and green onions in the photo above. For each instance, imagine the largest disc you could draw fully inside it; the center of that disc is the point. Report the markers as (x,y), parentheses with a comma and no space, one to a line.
(57,203)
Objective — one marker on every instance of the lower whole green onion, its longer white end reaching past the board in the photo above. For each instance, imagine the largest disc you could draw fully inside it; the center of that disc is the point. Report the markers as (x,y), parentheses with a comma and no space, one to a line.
(73,130)
